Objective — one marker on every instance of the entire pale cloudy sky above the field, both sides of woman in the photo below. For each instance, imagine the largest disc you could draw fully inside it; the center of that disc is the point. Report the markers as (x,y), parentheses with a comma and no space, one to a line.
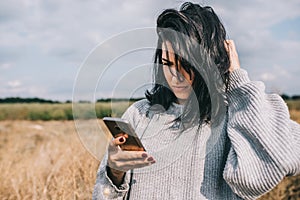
(46,44)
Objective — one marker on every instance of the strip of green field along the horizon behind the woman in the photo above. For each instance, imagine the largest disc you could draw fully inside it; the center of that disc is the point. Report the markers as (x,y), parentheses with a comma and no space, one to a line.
(63,111)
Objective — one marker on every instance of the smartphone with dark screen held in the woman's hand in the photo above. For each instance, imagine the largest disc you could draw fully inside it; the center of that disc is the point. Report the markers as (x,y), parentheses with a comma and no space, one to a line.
(119,127)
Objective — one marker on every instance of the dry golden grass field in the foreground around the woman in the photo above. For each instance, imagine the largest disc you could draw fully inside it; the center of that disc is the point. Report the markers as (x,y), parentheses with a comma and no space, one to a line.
(46,160)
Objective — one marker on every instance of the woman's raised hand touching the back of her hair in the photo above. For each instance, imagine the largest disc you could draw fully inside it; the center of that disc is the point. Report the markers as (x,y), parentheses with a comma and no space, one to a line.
(233,55)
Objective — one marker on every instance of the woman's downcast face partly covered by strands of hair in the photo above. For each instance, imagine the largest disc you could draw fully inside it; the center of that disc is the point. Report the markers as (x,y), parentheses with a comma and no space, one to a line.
(180,82)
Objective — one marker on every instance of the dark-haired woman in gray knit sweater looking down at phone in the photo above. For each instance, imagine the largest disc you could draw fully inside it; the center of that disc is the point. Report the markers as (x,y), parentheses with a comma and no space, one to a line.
(208,135)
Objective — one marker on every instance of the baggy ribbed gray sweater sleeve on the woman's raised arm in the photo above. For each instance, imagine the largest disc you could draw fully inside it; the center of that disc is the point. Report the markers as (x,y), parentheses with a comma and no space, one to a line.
(265,143)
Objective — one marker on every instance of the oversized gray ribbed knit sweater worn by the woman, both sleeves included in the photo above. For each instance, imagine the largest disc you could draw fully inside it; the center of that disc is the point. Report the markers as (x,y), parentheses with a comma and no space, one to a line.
(245,156)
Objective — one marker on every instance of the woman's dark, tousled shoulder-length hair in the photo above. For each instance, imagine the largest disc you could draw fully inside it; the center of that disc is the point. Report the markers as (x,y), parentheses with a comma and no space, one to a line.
(197,36)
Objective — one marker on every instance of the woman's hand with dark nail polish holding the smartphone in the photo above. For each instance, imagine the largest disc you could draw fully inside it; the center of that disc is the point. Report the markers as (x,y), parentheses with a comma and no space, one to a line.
(120,161)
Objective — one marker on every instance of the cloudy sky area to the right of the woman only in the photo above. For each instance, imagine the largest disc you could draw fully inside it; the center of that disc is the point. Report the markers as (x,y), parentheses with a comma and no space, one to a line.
(264,53)
